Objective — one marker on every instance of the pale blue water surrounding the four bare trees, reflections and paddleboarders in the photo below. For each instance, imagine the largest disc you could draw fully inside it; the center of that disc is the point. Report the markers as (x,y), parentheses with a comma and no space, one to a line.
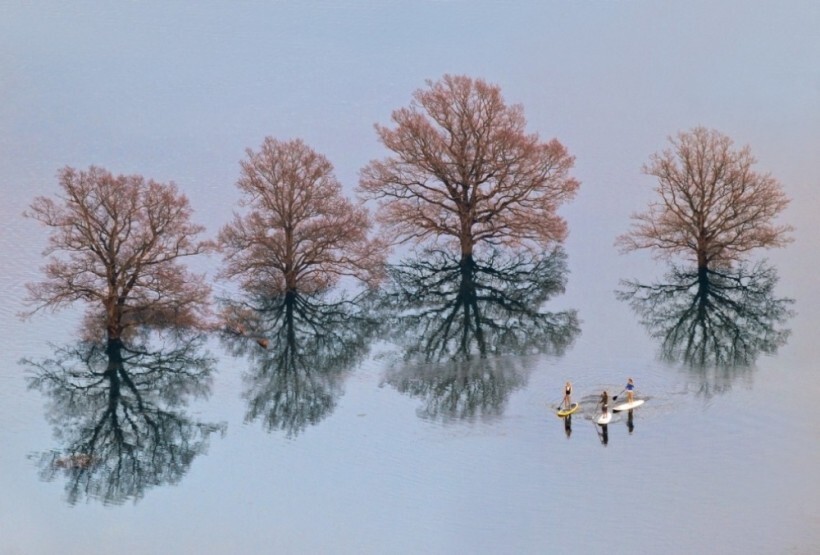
(715,462)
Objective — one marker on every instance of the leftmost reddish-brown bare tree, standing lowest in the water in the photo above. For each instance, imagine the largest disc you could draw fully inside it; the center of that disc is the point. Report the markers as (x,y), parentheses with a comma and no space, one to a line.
(116,244)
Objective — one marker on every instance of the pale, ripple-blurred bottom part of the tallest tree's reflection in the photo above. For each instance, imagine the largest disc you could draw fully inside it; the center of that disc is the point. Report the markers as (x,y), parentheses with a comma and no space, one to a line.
(461,389)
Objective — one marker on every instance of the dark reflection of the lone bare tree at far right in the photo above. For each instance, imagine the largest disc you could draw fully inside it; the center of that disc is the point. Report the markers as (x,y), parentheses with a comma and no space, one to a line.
(716,323)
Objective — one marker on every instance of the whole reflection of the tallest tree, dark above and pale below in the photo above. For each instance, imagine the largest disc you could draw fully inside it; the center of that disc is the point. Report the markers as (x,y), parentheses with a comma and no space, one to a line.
(453,320)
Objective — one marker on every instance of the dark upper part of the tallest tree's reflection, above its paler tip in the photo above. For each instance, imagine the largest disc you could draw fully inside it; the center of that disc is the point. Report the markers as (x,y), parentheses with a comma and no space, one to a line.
(439,307)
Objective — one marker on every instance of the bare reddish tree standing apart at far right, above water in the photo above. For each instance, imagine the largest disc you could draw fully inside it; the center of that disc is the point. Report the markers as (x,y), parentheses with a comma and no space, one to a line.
(713,206)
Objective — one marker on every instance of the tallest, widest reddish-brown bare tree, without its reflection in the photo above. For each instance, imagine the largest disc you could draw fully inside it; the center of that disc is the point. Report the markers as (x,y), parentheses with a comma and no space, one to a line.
(463,169)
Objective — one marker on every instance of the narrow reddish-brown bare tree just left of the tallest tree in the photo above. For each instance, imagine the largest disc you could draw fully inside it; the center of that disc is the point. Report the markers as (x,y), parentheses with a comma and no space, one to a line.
(300,234)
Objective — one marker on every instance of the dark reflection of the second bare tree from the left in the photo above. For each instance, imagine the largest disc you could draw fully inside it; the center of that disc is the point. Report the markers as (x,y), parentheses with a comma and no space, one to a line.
(300,348)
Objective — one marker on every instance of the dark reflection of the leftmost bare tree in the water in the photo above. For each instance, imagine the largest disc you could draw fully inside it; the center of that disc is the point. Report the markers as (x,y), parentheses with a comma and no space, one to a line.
(118,414)
